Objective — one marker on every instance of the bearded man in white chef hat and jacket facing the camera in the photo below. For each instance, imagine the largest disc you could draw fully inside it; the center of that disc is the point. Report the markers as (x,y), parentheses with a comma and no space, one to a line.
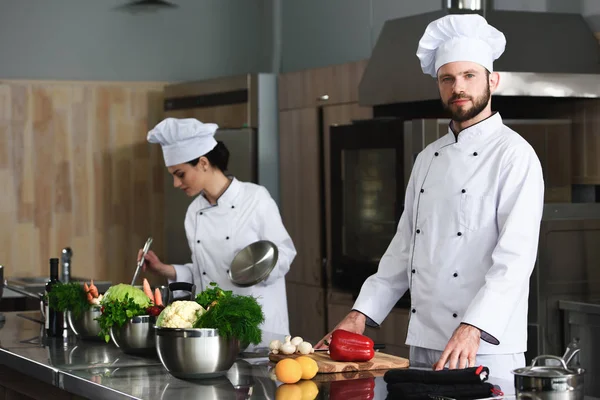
(466,243)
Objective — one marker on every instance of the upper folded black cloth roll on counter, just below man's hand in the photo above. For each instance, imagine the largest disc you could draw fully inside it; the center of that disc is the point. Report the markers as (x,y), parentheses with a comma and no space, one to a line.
(446,376)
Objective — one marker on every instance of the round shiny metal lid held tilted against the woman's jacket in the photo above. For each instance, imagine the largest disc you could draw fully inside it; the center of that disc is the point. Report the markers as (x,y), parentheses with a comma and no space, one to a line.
(253,263)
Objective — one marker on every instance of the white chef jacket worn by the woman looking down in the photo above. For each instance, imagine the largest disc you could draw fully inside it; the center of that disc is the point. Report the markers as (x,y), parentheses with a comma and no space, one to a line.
(245,213)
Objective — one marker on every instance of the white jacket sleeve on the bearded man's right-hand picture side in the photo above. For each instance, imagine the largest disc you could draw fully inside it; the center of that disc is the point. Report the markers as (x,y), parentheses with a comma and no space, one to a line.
(519,211)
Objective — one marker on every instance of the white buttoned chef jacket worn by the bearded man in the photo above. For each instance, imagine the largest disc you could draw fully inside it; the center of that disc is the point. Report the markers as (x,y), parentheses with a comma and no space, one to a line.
(467,241)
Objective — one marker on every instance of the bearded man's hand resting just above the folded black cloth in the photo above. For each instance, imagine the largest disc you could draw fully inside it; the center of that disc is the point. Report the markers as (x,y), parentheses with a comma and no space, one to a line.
(461,349)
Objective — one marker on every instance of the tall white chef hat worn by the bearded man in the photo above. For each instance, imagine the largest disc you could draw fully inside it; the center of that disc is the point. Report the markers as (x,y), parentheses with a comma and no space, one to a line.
(460,37)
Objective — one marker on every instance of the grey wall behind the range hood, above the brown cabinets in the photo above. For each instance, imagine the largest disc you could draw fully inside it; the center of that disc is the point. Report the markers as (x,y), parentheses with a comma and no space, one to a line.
(316,33)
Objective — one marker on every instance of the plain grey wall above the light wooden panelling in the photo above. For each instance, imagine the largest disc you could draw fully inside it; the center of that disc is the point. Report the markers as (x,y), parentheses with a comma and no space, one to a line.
(90,40)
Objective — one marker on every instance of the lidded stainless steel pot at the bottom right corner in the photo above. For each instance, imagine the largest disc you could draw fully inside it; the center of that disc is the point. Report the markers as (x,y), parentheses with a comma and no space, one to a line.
(551,382)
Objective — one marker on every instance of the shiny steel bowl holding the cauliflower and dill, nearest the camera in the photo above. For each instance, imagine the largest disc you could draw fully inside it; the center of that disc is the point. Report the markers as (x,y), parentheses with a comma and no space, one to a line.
(195,353)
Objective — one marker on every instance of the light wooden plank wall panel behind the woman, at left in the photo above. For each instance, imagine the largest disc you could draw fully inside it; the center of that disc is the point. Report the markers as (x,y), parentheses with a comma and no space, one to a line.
(76,170)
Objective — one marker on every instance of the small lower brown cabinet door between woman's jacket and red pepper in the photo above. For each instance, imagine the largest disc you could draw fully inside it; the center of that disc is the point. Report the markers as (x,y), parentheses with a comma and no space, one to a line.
(306,307)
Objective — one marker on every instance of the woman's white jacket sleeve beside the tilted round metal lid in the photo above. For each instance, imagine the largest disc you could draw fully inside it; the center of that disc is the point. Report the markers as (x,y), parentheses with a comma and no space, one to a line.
(271,228)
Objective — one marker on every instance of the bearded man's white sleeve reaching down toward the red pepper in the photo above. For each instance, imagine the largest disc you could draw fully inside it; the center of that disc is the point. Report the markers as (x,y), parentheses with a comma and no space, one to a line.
(382,290)
